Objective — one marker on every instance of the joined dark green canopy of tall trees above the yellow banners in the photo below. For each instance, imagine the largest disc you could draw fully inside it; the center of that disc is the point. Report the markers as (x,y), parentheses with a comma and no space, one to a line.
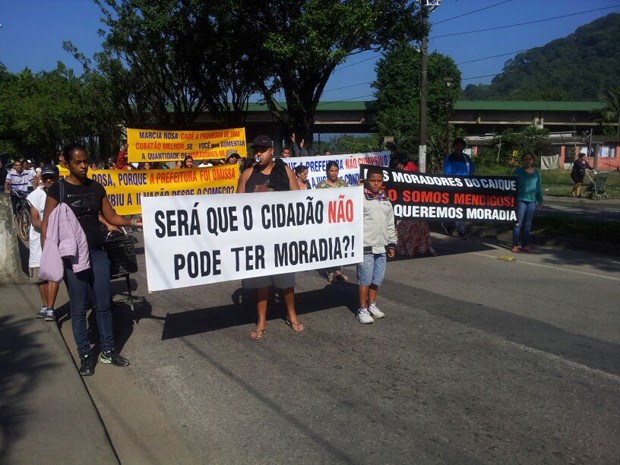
(174,59)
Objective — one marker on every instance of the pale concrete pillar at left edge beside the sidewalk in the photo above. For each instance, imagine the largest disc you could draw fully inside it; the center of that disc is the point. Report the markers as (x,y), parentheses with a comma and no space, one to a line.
(10,264)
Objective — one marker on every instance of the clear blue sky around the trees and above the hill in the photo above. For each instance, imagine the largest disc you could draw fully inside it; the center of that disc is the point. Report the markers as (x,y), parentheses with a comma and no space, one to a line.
(33,32)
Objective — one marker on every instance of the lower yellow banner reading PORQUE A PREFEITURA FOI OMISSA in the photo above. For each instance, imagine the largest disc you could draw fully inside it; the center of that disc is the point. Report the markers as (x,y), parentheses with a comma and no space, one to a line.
(127,188)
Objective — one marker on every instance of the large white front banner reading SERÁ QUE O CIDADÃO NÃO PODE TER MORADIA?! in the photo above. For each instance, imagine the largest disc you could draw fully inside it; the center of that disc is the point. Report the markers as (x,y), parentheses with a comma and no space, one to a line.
(190,241)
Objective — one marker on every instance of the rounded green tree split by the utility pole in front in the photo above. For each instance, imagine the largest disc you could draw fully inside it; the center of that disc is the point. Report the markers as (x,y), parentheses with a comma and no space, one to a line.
(398,99)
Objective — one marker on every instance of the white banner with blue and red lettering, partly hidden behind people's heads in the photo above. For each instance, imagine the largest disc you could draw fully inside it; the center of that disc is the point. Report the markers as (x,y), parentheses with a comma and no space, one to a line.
(348,165)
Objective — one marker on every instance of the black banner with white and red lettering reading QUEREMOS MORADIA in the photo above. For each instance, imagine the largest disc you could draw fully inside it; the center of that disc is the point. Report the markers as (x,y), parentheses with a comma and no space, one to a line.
(433,197)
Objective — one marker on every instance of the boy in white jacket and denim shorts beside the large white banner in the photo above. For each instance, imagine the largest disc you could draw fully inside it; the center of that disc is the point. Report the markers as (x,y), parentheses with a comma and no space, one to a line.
(379,235)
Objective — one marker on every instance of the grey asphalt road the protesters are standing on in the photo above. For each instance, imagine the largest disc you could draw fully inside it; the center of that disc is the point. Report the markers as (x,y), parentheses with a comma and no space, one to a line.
(480,360)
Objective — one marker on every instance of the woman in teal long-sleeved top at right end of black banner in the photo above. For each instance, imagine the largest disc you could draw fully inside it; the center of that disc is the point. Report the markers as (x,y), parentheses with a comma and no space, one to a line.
(529,199)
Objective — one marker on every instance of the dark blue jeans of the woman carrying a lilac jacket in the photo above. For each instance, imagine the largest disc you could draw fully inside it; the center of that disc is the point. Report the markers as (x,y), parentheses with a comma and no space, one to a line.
(96,278)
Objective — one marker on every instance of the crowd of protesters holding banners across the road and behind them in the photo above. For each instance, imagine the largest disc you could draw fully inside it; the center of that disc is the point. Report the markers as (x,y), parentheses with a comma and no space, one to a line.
(75,208)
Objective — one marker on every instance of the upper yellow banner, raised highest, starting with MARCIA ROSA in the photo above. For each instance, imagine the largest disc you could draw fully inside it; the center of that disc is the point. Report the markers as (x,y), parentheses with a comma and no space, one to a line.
(163,146)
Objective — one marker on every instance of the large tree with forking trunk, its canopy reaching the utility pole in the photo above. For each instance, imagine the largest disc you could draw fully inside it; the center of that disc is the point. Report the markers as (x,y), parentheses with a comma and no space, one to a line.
(299,43)
